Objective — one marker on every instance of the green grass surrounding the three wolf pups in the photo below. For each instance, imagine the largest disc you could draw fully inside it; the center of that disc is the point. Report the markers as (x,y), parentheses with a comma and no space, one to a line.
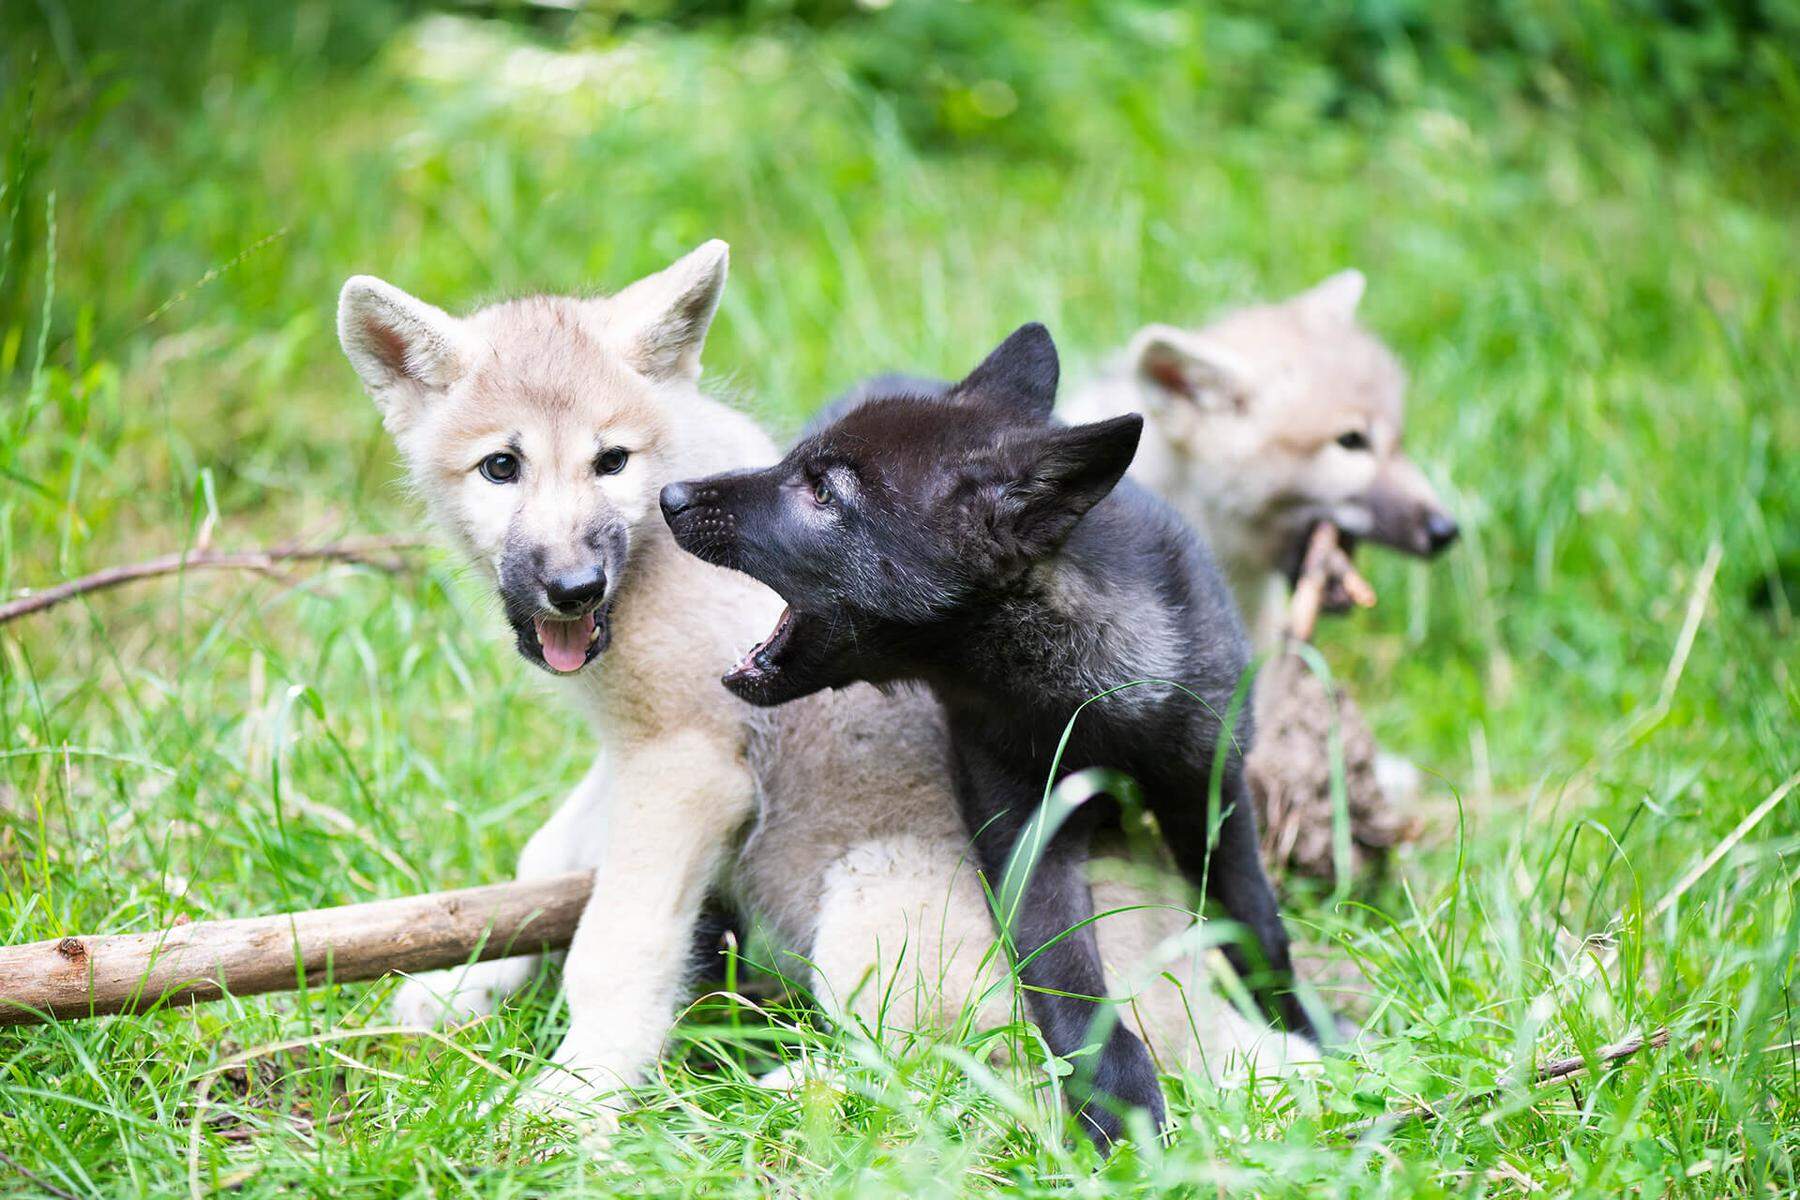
(1605,339)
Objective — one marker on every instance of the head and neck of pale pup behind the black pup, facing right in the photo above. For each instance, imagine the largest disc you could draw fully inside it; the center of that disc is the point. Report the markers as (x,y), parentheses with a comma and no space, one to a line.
(1268,422)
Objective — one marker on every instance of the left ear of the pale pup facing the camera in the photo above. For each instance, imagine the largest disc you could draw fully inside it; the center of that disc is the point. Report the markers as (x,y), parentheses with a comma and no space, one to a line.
(404,348)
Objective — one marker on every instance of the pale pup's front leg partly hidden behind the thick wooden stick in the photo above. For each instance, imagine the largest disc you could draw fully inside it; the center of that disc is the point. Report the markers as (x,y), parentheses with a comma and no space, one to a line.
(566,843)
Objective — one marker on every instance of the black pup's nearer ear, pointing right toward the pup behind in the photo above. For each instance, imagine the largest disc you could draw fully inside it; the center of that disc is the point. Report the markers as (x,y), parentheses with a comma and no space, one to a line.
(1059,476)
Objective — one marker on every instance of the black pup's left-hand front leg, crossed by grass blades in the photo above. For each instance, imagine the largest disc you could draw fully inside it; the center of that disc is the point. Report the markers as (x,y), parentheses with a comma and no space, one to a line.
(1056,942)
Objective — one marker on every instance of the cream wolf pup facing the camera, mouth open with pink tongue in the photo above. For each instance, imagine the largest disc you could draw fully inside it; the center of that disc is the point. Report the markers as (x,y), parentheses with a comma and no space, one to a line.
(539,434)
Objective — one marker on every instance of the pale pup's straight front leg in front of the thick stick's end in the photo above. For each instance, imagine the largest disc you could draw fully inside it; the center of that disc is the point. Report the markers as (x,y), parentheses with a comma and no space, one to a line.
(674,807)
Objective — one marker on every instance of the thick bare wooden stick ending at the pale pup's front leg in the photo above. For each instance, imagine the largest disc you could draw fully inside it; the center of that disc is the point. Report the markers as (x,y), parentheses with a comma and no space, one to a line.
(208,960)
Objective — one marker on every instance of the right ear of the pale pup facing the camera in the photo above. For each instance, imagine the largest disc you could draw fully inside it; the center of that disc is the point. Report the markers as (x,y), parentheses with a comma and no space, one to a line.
(660,323)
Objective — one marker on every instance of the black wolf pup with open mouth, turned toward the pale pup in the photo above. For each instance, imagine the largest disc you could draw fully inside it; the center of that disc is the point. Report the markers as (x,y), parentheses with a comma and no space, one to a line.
(955,535)
